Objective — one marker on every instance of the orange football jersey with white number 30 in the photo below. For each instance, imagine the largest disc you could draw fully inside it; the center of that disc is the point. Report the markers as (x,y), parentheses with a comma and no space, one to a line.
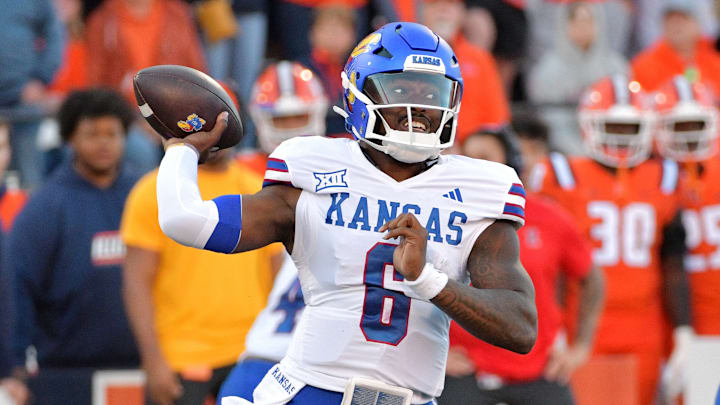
(623,214)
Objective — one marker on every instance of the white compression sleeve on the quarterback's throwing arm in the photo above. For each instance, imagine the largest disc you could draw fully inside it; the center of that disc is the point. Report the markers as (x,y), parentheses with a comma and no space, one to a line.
(183,215)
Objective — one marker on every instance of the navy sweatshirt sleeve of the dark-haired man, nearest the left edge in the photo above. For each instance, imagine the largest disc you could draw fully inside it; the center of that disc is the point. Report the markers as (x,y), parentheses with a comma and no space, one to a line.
(32,243)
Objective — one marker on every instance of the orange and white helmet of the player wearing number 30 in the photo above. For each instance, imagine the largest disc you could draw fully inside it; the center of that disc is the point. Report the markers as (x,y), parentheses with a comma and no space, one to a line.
(616,122)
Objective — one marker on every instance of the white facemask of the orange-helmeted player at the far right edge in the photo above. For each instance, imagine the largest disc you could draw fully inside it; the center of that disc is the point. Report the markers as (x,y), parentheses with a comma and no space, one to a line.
(689,133)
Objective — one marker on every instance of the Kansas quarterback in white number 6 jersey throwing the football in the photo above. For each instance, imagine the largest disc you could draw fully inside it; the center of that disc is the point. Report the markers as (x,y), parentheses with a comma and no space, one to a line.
(385,256)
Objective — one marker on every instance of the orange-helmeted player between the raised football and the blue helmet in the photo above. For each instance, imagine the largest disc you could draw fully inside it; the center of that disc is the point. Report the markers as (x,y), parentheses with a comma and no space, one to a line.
(287,100)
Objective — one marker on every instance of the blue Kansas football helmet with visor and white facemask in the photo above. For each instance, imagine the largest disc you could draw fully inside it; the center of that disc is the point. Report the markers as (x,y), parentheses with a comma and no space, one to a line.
(402,91)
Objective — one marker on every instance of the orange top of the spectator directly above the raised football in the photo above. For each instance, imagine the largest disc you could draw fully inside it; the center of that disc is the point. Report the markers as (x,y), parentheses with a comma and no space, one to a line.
(124,36)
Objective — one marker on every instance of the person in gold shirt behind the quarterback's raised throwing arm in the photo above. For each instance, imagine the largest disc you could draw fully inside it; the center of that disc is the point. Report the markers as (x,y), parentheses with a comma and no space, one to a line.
(190,309)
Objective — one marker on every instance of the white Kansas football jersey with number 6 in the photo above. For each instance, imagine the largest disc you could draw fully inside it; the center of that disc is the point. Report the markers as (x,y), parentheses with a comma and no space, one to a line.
(361,320)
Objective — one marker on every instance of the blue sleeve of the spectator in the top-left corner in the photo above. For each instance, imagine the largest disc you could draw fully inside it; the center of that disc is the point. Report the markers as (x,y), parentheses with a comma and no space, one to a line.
(53,33)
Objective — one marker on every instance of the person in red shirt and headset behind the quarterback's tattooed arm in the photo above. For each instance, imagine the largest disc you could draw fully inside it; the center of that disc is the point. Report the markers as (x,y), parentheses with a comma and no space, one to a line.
(551,247)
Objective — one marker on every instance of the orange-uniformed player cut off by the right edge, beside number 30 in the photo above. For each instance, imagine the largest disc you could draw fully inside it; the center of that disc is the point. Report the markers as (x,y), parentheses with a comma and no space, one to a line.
(687,132)
